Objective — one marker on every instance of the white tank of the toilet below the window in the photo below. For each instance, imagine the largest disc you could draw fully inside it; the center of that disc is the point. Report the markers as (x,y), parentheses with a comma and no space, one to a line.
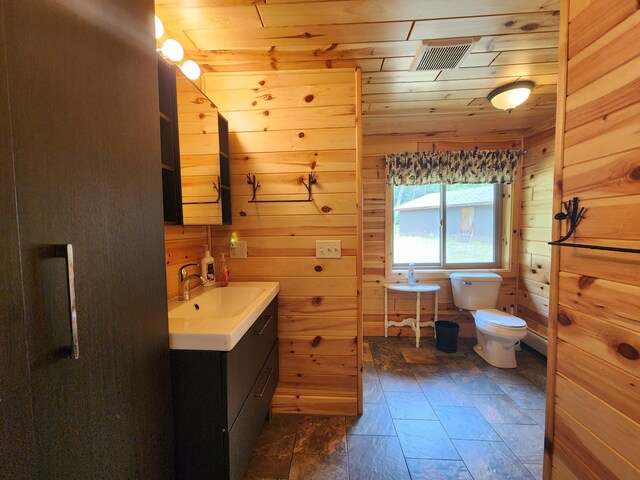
(474,291)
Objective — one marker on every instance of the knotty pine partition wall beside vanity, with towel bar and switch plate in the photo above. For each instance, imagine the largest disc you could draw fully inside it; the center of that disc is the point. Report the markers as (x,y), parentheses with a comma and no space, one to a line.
(284,125)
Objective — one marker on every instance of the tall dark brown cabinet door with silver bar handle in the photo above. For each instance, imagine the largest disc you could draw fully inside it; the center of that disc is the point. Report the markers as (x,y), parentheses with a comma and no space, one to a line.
(83,100)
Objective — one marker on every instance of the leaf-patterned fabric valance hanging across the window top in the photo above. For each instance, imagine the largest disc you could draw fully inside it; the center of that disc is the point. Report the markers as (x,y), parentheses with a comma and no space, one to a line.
(463,166)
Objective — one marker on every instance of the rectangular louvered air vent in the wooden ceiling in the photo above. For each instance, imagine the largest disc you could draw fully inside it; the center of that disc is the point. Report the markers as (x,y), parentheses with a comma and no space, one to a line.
(441,54)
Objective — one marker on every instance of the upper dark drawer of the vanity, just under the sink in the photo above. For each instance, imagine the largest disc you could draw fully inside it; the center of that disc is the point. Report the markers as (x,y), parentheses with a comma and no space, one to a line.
(246,359)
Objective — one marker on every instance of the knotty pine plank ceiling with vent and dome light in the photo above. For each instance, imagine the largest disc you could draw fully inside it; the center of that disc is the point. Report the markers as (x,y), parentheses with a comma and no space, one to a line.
(518,41)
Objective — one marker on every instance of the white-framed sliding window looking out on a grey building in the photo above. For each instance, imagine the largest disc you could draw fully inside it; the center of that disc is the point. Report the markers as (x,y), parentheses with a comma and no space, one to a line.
(450,226)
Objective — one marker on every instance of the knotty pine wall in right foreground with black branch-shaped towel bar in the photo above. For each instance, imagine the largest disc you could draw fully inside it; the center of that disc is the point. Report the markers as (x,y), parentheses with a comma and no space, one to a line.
(593,425)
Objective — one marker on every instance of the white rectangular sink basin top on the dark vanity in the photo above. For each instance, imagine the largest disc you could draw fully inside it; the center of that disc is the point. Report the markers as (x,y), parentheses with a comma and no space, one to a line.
(216,318)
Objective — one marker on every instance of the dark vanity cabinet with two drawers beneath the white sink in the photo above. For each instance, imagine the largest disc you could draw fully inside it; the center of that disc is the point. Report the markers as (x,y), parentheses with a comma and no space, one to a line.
(221,400)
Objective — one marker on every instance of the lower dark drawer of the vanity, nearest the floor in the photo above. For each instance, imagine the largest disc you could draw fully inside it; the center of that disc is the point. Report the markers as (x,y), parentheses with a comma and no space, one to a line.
(242,437)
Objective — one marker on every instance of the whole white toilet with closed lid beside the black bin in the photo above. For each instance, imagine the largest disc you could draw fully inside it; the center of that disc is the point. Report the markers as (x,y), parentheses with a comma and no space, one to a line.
(497,332)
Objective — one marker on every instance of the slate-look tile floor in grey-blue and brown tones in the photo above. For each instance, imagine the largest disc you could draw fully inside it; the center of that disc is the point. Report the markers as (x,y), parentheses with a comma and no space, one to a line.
(428,415)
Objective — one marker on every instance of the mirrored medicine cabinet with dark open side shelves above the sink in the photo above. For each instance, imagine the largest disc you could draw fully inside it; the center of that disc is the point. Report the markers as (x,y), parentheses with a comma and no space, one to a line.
(196,181)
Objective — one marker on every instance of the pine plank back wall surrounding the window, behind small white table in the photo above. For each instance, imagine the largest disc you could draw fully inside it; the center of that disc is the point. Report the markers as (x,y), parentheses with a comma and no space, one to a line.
(375,275)
